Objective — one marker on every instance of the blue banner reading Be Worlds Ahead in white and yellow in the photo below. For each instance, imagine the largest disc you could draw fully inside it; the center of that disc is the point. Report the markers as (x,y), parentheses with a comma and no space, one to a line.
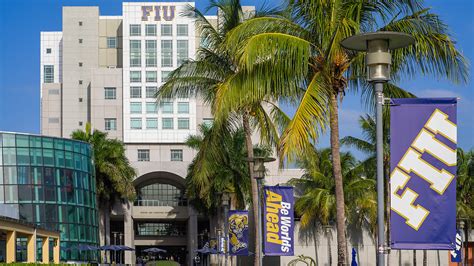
(278,221)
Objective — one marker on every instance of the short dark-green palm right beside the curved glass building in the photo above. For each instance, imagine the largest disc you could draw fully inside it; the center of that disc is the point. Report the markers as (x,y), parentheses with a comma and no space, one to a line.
(113,172)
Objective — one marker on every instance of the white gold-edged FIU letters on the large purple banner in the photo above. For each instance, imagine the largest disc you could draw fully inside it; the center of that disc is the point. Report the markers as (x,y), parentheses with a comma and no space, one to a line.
(411,162)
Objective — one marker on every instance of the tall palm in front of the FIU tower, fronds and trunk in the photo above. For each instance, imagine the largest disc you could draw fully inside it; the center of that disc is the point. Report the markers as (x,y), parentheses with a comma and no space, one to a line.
(214,72)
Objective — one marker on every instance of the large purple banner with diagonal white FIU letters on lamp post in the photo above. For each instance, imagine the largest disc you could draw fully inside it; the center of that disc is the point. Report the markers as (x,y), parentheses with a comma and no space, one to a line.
(423,137)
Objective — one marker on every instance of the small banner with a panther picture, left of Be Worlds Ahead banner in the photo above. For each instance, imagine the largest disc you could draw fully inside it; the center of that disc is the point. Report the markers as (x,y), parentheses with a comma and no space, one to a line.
(238,233)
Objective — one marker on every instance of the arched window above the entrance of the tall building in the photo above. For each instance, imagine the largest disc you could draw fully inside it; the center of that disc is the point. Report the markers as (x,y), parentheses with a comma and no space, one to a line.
(159,194)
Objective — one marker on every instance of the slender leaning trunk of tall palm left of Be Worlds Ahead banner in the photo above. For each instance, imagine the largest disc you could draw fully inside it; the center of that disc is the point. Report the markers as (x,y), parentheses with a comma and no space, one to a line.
(255,199)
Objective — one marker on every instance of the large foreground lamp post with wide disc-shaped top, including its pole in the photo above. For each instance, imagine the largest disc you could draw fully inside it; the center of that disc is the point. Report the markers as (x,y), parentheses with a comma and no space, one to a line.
(378,59)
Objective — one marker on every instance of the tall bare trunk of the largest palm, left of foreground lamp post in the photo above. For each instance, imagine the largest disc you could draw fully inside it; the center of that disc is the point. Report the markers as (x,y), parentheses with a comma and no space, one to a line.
(337,172)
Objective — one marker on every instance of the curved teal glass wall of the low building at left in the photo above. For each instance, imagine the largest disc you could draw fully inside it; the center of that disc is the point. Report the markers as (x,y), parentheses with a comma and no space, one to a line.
(51,183)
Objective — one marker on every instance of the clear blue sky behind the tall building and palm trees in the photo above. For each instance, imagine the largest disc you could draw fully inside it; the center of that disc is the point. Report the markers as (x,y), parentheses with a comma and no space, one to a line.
(21,22)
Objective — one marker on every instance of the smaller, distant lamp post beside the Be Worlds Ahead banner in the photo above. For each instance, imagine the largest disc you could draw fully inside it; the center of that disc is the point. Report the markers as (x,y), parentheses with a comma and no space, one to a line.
(259,175)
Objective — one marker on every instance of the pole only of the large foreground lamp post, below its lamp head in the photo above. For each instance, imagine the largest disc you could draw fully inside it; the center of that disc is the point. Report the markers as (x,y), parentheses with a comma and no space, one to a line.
(380,178)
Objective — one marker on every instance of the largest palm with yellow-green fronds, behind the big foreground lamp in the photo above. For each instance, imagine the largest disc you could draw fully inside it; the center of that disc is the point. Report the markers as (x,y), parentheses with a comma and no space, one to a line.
(303,49)
